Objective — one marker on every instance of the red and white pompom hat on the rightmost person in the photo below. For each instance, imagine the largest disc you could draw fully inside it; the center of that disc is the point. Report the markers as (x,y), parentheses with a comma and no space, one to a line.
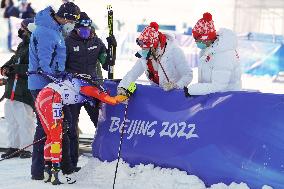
(204,29)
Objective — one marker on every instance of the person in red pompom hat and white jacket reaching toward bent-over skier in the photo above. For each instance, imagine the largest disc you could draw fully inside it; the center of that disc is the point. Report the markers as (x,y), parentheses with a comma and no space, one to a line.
(161,59)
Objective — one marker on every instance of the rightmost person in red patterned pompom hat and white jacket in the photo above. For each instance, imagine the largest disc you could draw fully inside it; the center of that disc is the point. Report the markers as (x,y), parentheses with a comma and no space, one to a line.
(219,68)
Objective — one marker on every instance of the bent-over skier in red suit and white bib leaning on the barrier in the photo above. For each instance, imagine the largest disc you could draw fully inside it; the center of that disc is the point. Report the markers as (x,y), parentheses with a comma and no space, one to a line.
(49,103)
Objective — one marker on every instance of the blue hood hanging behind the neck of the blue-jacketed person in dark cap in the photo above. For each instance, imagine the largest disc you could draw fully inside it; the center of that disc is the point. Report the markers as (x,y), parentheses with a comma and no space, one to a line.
(43,18)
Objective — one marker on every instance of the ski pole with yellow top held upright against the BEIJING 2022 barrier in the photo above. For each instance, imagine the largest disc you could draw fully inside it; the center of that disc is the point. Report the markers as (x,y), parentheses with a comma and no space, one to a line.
(131,89)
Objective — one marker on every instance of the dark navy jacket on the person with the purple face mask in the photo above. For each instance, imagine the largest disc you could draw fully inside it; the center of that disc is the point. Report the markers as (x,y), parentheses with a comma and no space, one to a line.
(83,55)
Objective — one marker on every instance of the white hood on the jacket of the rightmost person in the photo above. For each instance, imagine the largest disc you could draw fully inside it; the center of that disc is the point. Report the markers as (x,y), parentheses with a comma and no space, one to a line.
(226,40)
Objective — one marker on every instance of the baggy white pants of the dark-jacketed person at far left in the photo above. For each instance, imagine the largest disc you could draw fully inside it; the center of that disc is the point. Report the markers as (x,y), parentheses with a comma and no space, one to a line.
(21,124)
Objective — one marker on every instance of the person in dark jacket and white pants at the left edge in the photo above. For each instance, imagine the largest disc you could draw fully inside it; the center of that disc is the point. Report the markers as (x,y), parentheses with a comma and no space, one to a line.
(18,107)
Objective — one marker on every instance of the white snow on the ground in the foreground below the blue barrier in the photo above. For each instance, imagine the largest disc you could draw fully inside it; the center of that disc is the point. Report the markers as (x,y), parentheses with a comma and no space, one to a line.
(95,174)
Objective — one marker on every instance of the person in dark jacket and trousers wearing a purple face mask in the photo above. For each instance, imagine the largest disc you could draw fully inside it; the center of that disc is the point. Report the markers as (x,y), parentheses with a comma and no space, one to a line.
(84,53)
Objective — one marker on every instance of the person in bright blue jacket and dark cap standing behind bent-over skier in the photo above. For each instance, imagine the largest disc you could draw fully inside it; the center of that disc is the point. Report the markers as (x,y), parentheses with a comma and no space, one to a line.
(47,53)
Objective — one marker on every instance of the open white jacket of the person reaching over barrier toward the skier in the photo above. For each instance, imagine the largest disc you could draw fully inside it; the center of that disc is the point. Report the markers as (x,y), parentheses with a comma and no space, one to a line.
(173,62)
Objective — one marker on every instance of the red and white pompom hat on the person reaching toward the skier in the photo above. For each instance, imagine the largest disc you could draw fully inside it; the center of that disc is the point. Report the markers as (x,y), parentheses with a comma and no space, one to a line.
(149,37)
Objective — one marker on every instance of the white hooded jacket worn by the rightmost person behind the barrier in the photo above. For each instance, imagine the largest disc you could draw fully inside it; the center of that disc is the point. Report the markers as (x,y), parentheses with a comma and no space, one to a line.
(219,68)
